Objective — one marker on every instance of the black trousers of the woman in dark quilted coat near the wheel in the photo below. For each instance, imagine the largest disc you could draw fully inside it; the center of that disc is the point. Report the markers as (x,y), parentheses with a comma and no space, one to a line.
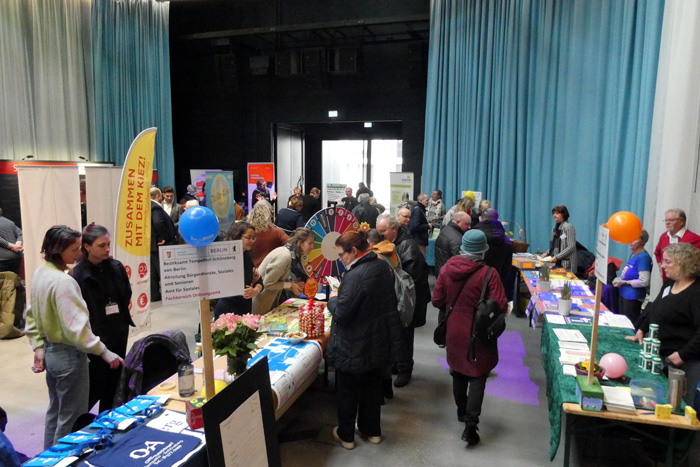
(359,397)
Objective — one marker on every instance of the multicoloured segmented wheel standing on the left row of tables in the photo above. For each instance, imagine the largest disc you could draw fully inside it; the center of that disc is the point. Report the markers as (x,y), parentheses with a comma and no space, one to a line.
(327,225)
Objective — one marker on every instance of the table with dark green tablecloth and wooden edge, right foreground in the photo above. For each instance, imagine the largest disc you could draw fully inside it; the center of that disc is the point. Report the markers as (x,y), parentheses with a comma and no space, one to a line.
(561,389)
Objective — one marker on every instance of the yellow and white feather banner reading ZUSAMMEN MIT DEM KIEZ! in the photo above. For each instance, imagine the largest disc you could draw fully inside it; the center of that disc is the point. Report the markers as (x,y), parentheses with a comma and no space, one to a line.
(133,226)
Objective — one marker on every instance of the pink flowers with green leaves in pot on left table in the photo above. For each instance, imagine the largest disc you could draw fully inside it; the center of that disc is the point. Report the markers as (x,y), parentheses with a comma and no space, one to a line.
(234,336)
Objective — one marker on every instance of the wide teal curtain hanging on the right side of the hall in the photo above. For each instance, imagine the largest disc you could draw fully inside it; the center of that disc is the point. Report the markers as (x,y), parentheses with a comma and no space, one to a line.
(540,103)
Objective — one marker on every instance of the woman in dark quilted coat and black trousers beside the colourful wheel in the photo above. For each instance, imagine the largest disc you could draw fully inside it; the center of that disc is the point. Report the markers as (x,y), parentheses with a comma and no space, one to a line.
(366,336)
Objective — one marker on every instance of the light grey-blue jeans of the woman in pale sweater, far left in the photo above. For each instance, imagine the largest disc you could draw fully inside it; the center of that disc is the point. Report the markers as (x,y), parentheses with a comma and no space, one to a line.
(68,383)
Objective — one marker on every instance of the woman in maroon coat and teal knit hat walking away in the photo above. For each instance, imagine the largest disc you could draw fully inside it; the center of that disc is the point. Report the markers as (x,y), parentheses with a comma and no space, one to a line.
(460,283)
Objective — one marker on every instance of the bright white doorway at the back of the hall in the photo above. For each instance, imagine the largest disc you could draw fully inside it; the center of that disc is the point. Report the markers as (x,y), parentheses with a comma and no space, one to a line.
(349,162)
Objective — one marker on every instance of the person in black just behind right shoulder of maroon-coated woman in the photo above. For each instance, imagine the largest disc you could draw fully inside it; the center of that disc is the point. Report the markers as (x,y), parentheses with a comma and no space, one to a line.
(500,253)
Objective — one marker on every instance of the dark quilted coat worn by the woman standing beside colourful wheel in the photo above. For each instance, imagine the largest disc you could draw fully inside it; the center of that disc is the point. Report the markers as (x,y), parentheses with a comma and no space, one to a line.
(366,332)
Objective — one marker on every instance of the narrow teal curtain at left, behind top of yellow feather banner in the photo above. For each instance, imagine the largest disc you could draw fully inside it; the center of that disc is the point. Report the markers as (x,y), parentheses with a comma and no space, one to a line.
(131,63)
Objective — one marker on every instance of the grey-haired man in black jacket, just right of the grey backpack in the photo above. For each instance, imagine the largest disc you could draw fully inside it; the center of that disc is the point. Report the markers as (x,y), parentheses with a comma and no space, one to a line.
(413,262)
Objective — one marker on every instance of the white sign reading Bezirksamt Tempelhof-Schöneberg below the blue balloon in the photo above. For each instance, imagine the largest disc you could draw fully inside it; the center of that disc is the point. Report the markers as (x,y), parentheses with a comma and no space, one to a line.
(190,274)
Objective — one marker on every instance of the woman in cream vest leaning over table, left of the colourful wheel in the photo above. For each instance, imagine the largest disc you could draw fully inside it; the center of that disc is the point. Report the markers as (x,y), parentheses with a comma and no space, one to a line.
(276,270)
